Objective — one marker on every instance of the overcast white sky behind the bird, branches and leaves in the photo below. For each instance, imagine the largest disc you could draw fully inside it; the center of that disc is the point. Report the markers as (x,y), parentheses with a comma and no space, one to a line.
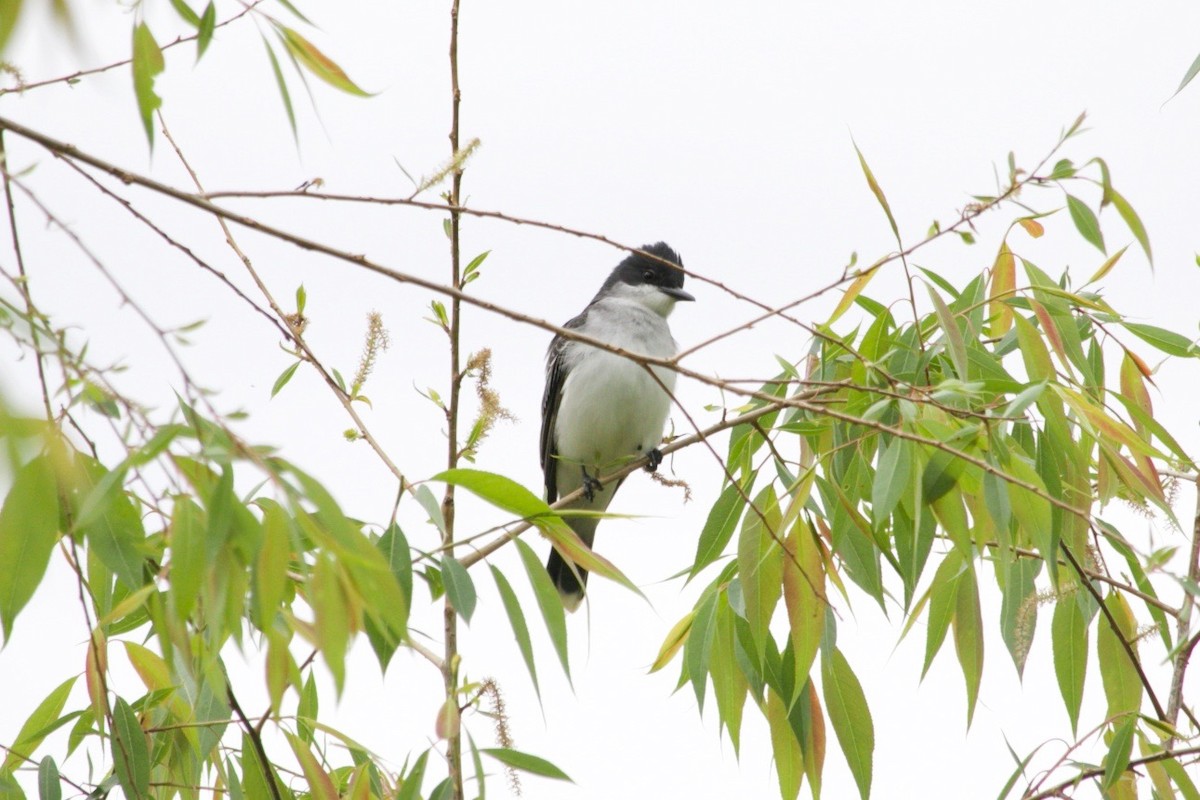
(724,129)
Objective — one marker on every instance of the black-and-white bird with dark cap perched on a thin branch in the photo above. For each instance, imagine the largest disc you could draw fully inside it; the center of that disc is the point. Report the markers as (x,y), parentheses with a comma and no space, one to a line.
(601,410)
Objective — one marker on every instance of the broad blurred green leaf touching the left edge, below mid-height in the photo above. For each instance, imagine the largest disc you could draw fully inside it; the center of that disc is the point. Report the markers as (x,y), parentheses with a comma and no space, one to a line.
(29,522)
